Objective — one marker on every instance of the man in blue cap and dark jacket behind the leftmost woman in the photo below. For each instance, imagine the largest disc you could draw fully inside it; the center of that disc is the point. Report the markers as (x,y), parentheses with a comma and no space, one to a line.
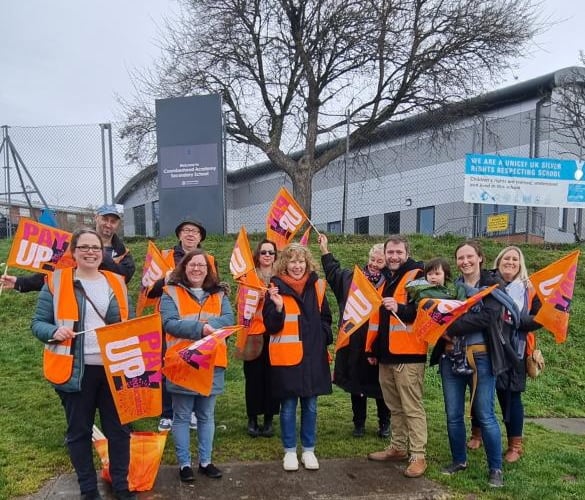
(117,258)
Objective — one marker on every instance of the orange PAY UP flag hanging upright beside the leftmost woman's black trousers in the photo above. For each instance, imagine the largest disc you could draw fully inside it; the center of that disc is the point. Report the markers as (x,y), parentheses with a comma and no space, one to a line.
(132,355)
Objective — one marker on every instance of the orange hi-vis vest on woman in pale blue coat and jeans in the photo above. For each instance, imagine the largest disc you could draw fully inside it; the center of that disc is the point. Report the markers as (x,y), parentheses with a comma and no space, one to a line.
(190,309)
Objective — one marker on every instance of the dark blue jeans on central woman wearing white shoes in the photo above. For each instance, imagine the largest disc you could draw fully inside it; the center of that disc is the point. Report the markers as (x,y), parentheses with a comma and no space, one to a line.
(288,423)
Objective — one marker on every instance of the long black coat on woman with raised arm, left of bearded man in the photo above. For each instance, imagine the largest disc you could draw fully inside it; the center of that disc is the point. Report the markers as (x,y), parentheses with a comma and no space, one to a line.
(352,371)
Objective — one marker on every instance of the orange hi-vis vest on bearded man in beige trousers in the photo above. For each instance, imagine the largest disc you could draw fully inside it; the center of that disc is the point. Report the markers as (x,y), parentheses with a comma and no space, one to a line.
(401,340)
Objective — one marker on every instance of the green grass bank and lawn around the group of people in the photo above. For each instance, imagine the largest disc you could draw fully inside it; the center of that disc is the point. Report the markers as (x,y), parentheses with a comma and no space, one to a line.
(32,421)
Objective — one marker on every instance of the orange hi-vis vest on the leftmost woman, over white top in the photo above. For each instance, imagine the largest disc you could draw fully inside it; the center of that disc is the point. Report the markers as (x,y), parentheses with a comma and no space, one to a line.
(58,357)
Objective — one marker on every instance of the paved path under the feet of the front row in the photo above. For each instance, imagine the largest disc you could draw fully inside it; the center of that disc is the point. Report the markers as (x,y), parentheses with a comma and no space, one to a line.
(338,479)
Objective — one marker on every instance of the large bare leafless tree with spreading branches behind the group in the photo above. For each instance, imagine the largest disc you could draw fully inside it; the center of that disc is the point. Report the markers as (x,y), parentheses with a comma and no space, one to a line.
(288,71)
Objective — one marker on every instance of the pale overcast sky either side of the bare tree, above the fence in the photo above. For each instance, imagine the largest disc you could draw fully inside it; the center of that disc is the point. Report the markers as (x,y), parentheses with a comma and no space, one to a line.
(63,61)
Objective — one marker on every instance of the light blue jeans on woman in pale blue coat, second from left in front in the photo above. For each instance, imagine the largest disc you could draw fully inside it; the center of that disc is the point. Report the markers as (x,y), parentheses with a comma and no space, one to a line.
(204,407)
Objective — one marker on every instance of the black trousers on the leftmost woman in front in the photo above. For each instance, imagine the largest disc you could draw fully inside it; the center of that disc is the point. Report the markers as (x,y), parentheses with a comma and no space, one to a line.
(80,409)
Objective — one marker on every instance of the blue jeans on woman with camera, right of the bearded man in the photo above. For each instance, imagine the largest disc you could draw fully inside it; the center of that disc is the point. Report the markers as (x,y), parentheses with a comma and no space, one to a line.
(454,390)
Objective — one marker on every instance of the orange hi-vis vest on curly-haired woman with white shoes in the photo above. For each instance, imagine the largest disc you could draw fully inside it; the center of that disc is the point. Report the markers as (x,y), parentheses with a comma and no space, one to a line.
(286,347)
